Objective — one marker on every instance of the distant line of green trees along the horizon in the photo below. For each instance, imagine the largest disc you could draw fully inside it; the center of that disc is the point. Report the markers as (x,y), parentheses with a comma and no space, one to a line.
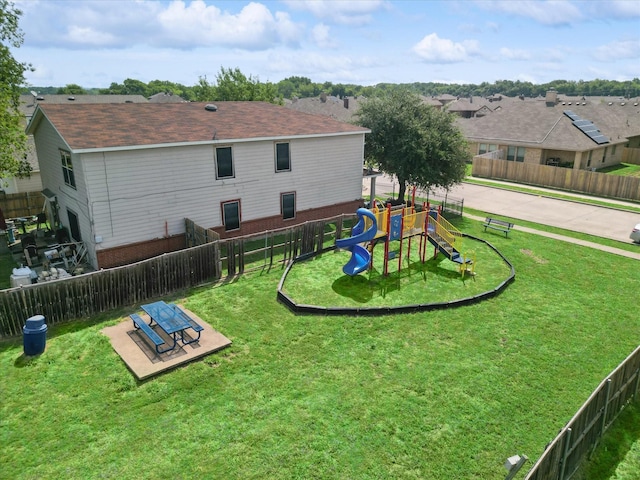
(302,87)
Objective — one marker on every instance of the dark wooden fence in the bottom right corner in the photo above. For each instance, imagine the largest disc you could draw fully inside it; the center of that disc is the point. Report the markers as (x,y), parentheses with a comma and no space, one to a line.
(580,436)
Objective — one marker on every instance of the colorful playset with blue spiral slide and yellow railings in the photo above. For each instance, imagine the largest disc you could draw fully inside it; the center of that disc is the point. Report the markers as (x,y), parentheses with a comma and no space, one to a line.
(393,227)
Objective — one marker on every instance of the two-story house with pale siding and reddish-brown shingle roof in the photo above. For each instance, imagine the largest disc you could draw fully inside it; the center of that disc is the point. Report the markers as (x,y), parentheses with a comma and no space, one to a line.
(124,177)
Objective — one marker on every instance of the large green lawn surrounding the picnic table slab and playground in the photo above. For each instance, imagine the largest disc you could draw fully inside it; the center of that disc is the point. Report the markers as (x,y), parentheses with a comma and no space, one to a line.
(447,394)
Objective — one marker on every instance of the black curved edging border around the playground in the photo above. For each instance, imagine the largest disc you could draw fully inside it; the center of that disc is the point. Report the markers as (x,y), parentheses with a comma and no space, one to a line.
(375,311)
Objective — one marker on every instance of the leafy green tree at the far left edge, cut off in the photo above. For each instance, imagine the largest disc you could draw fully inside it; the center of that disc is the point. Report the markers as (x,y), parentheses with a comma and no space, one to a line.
(13,141)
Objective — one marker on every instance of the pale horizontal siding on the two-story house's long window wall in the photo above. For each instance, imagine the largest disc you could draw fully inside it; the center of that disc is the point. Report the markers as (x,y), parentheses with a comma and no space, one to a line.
(145,194)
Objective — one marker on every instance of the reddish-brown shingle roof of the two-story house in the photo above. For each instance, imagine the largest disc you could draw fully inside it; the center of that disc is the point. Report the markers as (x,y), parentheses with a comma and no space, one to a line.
(92,126)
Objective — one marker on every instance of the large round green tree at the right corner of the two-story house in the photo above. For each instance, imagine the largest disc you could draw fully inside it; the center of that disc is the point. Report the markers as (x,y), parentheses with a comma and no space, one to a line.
(413,141)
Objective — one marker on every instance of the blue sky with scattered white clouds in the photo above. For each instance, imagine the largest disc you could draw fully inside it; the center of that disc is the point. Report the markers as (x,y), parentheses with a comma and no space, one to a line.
(365,42)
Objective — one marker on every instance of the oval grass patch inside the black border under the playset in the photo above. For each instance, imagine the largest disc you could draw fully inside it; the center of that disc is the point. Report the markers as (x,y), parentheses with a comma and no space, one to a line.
(321,282)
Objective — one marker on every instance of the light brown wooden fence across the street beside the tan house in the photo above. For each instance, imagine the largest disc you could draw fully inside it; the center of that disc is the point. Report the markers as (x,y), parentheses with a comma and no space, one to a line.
(592,183)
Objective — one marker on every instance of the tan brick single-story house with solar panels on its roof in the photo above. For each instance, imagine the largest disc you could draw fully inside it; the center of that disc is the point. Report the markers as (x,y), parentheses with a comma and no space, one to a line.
(542,131)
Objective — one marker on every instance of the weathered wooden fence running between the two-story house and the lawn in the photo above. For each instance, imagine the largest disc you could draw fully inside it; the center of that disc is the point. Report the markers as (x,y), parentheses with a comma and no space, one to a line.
(86,295)
